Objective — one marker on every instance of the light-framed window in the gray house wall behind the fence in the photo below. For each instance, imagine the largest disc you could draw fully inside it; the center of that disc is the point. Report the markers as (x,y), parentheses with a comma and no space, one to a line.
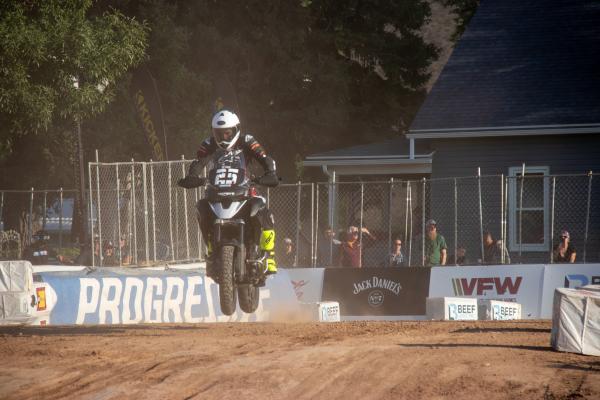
(531,211)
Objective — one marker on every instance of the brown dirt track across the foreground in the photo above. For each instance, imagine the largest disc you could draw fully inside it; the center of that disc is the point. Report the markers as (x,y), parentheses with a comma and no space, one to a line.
(375,360)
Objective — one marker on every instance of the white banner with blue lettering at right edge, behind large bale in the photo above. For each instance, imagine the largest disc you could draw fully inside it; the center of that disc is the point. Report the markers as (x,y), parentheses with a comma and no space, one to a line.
(567,276)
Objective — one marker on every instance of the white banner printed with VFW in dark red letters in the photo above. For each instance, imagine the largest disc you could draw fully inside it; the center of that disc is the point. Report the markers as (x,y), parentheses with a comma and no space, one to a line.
(516,283)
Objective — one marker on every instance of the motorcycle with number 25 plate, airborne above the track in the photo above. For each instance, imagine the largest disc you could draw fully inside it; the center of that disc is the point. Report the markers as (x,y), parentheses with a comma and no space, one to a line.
(239,268)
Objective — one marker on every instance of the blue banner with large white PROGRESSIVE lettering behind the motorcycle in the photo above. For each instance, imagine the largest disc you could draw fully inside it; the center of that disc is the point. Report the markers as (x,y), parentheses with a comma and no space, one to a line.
(115,296)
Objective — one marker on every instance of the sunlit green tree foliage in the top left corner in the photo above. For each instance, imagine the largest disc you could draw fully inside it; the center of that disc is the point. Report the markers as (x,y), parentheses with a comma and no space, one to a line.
(47,45)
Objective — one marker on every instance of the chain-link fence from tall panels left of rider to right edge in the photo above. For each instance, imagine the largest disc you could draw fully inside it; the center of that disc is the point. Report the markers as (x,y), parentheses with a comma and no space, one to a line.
(484,219)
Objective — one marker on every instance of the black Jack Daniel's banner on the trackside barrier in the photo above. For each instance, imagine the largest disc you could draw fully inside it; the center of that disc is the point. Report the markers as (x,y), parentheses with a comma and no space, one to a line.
(377,291)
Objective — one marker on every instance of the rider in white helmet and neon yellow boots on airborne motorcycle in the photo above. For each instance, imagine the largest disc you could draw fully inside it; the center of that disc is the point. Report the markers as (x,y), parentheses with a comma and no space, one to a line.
(226,135)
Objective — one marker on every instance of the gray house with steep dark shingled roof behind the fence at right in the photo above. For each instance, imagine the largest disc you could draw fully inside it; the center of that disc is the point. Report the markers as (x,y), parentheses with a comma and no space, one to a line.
(520,93)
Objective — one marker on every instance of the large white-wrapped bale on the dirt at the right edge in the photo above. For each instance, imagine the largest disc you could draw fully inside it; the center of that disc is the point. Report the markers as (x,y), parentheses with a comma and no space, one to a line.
(576,320)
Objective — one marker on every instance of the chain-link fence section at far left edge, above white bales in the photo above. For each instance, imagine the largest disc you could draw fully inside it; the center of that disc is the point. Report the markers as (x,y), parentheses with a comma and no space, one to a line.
(25,212)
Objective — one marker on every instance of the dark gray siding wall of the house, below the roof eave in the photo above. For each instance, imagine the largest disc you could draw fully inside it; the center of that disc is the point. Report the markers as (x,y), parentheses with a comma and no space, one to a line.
(575,154)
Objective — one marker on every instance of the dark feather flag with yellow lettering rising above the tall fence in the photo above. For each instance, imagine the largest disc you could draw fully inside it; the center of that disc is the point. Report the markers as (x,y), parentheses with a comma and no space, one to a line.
(149,112)
